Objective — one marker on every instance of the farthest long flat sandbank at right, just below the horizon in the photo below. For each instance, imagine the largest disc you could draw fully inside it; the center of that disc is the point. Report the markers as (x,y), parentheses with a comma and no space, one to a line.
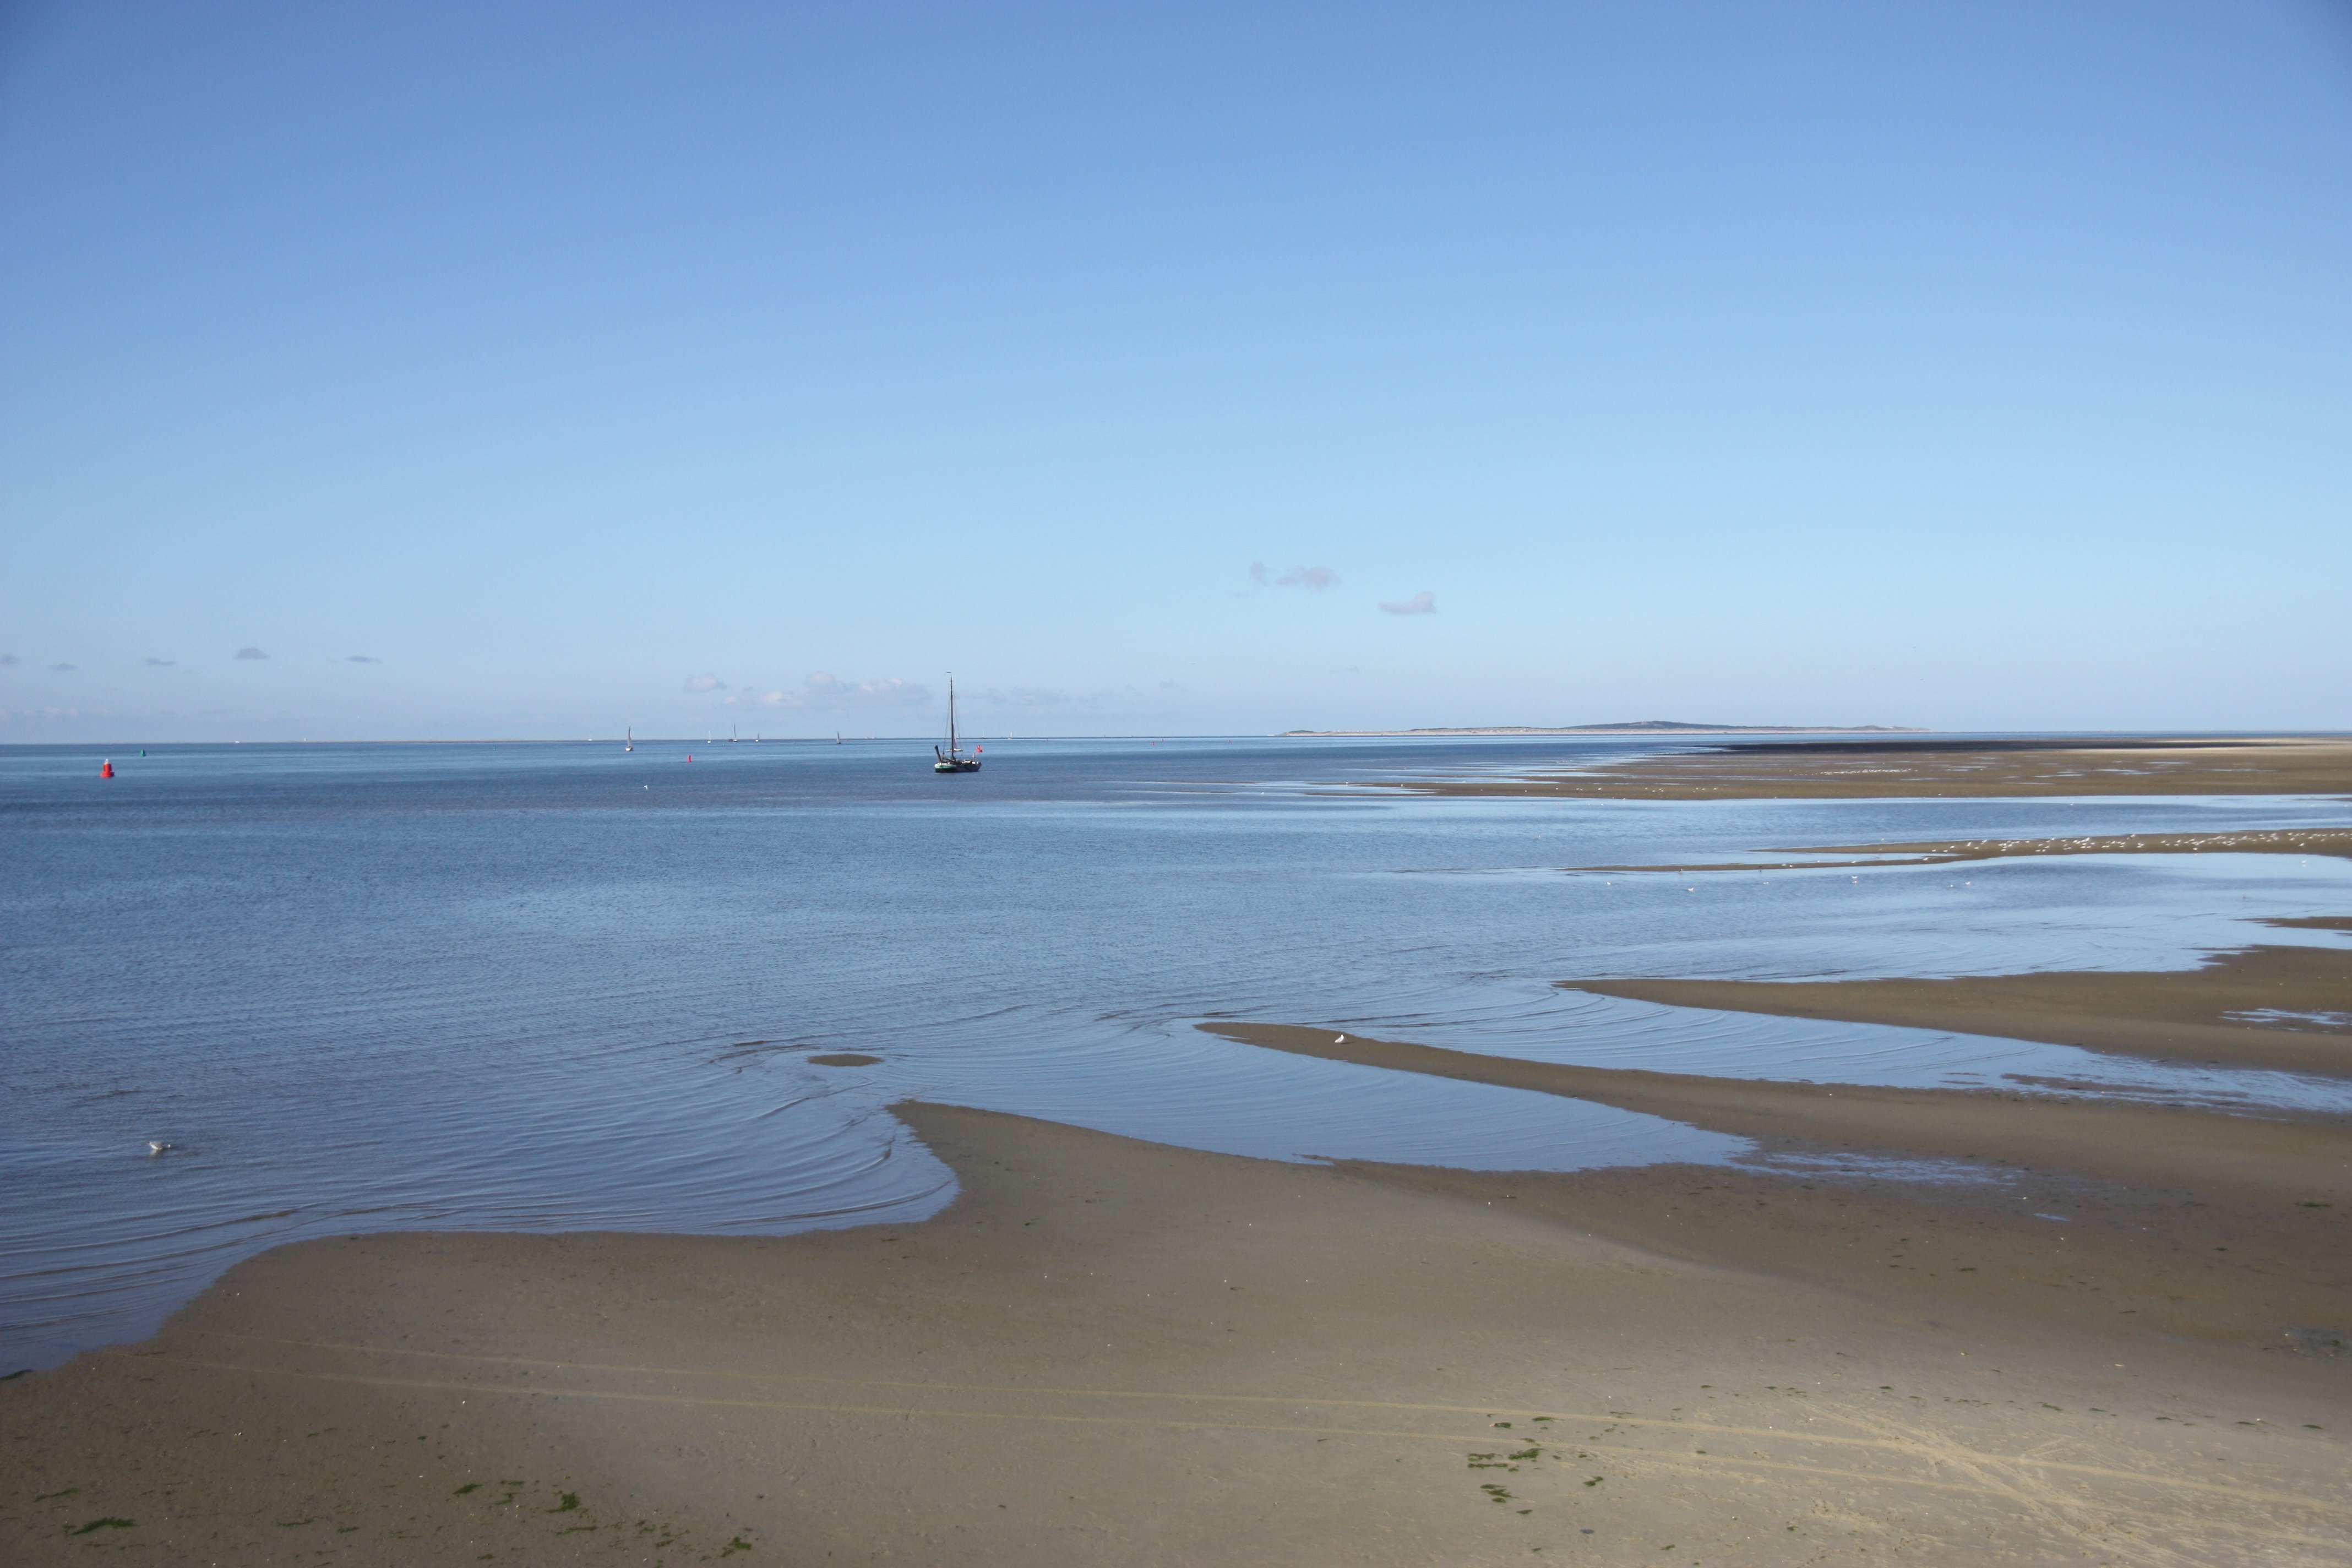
(1946,768)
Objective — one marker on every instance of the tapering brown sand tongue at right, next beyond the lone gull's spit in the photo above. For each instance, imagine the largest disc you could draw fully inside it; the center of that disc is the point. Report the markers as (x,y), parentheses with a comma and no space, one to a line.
(2179,1017)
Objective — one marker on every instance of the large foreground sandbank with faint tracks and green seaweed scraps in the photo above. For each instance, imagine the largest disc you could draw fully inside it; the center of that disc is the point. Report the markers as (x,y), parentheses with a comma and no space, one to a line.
(1118,1353)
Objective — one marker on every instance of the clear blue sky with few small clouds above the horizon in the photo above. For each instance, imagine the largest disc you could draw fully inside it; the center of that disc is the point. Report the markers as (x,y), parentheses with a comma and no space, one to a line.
(535,370)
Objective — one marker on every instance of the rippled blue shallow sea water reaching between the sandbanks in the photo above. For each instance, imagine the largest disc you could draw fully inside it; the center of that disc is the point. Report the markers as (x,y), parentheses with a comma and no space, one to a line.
(561,986)
